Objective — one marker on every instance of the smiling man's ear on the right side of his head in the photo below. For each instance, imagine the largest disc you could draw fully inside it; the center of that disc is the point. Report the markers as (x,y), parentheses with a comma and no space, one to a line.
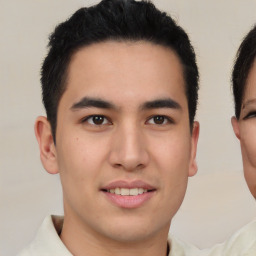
(194,140)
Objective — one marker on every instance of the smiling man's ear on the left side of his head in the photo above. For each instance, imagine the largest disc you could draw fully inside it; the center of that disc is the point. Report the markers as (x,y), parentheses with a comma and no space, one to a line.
(46,145)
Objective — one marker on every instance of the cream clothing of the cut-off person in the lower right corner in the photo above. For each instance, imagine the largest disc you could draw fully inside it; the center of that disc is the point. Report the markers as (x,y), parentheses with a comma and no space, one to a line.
(242,243)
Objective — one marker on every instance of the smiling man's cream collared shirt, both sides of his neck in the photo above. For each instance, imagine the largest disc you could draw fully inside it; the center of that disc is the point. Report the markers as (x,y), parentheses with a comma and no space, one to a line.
(48,243)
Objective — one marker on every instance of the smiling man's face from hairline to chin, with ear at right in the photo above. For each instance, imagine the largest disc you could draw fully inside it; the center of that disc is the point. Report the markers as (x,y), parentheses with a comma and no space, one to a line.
(124,149)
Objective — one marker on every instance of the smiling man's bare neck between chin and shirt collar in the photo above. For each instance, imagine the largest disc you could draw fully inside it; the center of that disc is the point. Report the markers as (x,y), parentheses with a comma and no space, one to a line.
(79,240)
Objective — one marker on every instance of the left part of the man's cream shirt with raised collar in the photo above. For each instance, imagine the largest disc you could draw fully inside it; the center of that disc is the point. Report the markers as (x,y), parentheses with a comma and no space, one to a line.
(47,240)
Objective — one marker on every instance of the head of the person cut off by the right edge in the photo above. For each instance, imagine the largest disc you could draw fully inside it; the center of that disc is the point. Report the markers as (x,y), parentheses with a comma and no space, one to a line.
(244,90)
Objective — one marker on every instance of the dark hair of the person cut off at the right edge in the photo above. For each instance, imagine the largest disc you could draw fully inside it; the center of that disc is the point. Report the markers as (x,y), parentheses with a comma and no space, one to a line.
(245,57)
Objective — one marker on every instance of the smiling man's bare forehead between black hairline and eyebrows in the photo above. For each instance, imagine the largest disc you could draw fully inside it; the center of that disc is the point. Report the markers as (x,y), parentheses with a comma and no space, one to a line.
(125,68)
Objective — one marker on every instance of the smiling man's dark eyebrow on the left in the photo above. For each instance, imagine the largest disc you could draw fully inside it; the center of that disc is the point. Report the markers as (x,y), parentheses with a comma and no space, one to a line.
(88,102)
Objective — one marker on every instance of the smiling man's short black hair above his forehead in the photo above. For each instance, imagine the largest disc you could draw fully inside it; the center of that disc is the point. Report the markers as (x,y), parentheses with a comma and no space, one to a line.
(118,20)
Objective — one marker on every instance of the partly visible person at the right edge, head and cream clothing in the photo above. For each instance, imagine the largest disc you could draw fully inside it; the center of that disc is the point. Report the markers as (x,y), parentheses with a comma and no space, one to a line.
(243,242)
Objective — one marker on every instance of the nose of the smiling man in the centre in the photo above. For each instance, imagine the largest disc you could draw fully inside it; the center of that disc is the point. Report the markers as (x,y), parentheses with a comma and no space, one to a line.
(129,149)
